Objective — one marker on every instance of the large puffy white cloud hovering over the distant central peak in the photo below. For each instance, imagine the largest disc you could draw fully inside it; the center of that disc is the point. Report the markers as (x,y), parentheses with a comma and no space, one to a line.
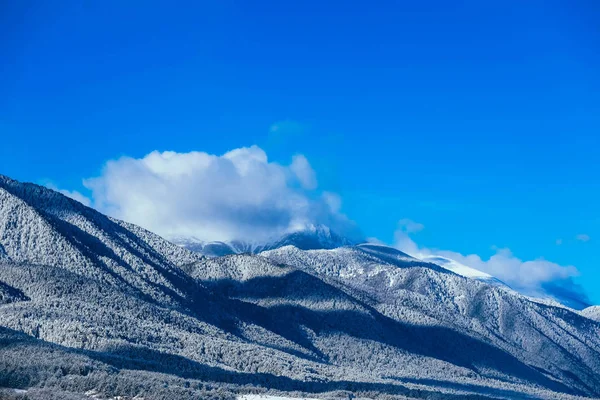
(238,195)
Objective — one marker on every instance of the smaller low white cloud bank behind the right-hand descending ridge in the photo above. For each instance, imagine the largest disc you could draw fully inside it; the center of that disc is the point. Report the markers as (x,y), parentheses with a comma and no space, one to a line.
(533,278)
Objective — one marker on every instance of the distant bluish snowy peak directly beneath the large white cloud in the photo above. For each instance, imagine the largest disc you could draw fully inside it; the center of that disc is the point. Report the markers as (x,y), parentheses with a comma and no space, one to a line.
(311,237)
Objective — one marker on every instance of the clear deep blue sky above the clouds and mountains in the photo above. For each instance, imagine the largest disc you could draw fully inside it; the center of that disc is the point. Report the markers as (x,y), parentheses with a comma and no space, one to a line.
(479,120)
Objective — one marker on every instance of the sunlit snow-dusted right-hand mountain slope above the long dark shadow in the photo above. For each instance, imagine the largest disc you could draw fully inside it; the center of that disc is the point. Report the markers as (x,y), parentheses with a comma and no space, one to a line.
(546,338)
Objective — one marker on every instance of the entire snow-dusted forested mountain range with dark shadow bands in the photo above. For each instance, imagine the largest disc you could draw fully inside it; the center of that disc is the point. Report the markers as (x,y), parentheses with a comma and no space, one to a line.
(91,303)
